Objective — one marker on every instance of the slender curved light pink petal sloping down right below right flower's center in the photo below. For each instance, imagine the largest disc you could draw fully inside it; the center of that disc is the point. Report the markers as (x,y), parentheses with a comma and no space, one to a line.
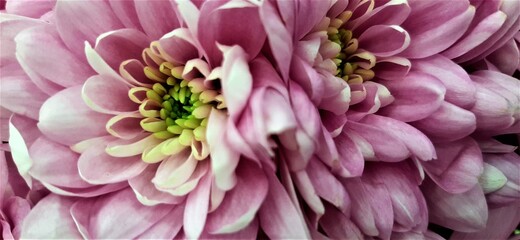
(414,140)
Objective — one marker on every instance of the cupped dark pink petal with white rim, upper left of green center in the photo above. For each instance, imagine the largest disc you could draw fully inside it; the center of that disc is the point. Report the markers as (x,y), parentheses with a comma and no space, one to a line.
(120,45)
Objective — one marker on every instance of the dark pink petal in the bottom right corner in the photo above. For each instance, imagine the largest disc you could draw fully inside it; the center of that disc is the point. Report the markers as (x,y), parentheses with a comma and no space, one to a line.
(501,222)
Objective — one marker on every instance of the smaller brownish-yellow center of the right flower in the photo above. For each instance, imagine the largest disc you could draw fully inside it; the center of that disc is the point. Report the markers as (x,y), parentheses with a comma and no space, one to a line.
(353,64)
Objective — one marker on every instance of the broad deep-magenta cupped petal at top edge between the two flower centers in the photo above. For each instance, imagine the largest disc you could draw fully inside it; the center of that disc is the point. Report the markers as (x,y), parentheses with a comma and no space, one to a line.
(218,24)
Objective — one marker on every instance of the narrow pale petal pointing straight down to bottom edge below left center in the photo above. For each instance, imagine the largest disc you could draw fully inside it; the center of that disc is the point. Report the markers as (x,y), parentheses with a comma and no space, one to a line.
(197,205)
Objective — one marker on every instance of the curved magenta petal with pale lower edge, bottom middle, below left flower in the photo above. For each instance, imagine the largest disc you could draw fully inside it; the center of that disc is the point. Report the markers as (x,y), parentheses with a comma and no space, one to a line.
(241,203)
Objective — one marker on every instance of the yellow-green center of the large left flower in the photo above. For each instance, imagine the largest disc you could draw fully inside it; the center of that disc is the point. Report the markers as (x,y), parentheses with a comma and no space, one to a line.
(172,107)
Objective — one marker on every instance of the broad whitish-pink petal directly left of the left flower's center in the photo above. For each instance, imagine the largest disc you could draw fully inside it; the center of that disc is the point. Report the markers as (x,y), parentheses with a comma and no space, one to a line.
(66,119)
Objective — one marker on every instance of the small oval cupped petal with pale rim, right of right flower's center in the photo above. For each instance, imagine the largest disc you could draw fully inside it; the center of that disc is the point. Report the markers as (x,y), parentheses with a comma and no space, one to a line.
(384,41)
